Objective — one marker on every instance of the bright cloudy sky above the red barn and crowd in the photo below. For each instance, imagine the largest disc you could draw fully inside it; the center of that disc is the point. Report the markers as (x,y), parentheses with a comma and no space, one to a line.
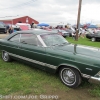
(60,11)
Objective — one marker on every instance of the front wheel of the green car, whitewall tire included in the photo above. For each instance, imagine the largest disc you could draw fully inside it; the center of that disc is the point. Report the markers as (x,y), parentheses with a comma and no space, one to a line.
(70,77)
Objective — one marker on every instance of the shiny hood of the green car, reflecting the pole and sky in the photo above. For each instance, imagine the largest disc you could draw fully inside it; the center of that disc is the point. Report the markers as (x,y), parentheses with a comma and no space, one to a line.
(81,49)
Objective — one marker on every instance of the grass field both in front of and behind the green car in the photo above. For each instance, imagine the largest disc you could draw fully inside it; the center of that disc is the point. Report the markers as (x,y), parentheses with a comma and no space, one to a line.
(17,78)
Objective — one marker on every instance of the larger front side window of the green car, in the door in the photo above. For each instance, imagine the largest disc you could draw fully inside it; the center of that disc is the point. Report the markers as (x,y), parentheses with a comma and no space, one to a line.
(30,39)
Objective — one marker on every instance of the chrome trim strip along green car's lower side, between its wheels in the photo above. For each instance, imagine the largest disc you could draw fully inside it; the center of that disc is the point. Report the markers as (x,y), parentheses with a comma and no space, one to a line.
(34,61)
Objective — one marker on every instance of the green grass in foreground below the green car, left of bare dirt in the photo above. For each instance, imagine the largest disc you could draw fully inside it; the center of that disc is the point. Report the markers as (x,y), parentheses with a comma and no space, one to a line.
(18,78)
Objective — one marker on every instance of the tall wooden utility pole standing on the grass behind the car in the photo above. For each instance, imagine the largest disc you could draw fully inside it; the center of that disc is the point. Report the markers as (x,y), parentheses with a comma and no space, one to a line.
(78,20)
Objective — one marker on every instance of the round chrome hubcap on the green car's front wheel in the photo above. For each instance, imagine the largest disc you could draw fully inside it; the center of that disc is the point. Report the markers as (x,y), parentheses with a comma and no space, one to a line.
(68,76)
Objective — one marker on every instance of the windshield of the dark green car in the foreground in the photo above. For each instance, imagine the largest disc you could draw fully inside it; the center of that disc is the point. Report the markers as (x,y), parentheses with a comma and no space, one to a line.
(53,39)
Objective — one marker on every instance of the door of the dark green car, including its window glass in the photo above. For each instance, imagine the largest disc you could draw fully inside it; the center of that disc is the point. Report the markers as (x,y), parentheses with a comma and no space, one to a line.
(32,50)
